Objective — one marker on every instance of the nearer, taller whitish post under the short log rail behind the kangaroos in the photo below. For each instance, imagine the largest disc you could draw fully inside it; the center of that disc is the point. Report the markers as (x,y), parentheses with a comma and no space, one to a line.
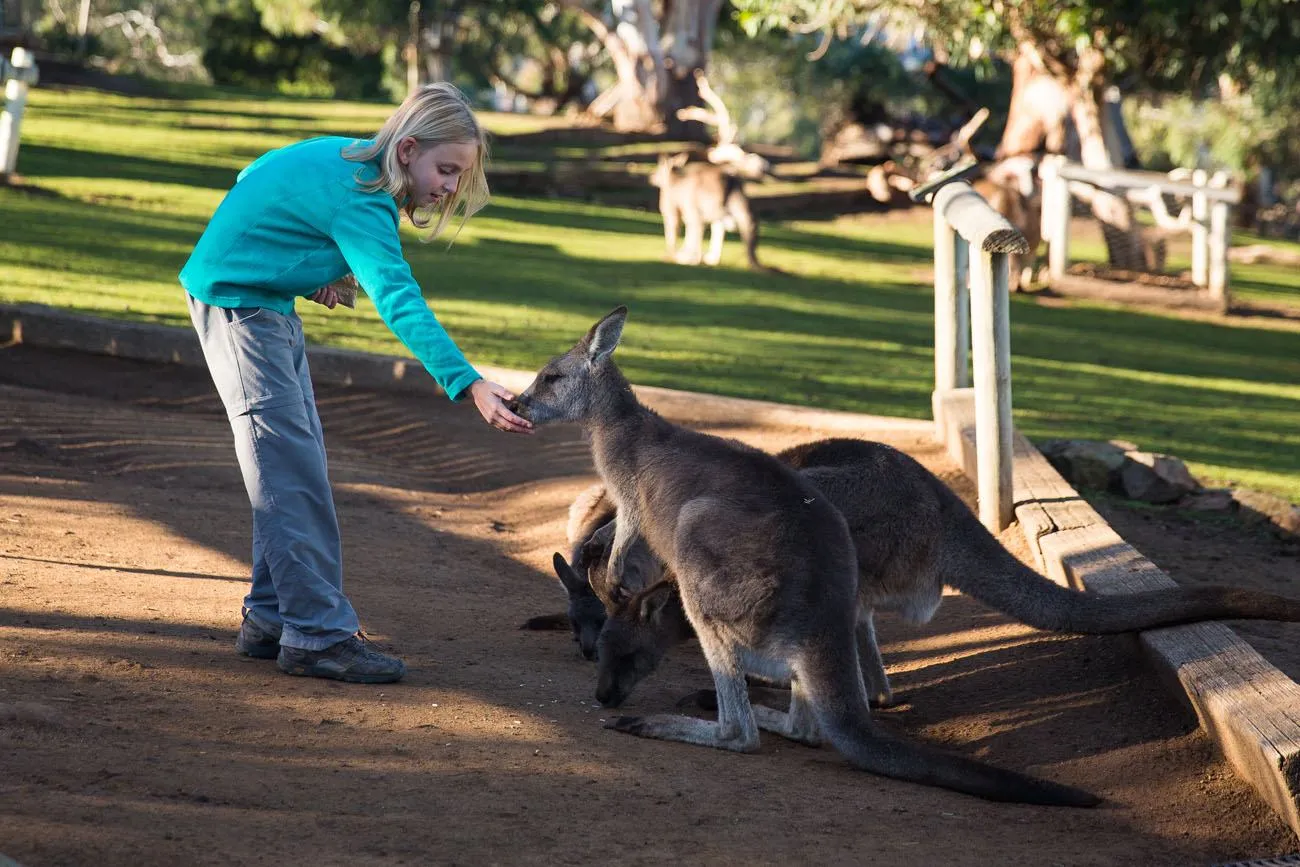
(991,333)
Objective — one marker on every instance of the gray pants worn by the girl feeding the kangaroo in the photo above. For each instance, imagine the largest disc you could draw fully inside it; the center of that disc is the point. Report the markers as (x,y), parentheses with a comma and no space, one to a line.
(258,361)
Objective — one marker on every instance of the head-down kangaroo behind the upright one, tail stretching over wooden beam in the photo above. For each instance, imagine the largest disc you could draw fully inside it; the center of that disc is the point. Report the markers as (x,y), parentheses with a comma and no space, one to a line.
(913,537)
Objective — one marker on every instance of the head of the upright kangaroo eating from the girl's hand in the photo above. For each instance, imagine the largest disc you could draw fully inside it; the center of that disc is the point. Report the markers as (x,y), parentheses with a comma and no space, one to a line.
(567,389)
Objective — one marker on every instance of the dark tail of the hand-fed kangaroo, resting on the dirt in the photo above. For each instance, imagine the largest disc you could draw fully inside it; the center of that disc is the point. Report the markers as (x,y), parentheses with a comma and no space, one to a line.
(840,706)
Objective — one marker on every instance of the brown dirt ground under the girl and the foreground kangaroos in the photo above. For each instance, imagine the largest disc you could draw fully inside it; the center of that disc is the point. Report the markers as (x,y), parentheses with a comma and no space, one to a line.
(131,732)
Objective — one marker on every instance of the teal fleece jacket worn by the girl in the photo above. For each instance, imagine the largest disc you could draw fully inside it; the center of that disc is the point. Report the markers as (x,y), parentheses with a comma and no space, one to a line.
(297,220)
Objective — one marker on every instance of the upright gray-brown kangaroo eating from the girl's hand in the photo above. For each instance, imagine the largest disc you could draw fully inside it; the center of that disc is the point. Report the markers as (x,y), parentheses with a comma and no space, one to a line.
(766,576)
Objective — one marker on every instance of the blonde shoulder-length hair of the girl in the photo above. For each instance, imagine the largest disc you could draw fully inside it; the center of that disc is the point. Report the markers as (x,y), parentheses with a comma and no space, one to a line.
(435,115)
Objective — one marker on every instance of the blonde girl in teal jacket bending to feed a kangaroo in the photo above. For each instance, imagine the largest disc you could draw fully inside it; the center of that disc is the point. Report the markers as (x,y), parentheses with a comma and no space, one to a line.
(298,219)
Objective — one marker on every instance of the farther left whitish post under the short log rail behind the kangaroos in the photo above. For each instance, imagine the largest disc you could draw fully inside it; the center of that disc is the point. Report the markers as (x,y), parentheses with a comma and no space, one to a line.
(952,315)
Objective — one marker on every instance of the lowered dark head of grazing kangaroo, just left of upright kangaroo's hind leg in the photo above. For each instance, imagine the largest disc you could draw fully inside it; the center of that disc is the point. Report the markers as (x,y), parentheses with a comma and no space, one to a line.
(636,638)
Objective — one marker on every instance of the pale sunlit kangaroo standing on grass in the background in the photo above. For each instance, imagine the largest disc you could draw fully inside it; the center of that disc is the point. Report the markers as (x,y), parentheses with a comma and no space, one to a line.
(699,193)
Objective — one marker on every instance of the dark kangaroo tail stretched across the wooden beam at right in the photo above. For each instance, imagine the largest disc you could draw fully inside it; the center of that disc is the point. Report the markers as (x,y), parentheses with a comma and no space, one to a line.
(977,565)
